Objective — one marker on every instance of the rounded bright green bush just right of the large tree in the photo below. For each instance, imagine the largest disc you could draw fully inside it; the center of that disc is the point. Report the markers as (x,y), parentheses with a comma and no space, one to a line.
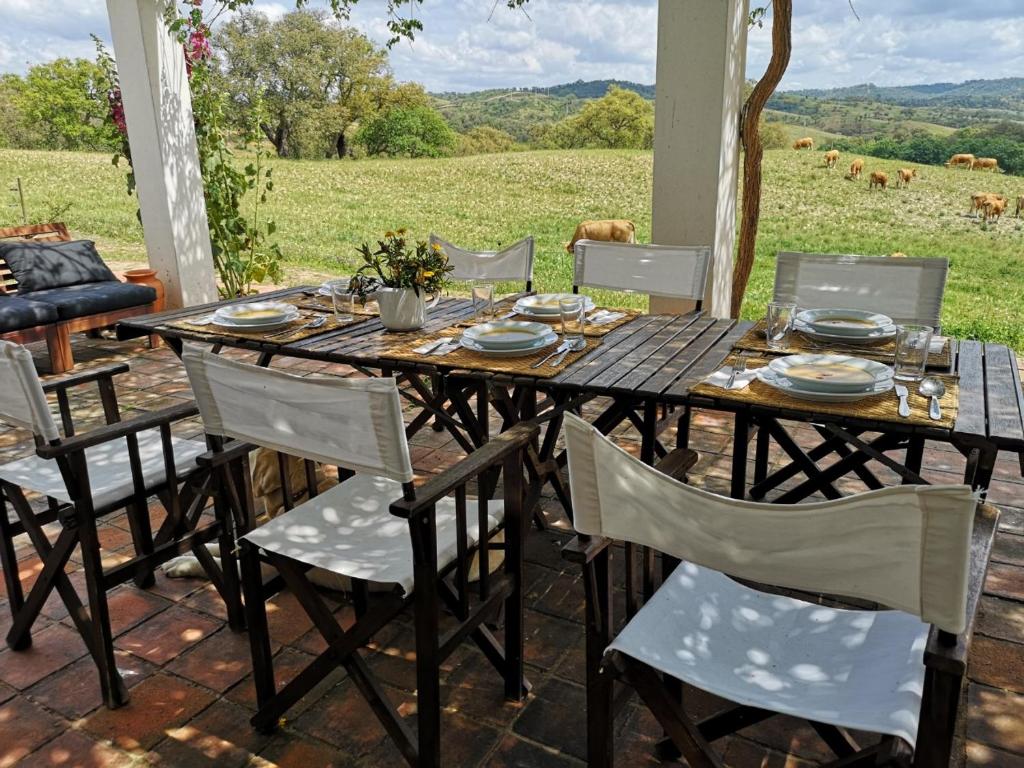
(417,132)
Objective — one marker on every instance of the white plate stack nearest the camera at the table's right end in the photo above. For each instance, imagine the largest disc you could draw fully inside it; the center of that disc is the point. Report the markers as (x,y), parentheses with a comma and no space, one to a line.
(828,378)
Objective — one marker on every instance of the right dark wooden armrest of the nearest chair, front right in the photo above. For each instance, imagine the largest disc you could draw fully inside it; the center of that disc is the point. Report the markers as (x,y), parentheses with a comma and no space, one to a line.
(949,653)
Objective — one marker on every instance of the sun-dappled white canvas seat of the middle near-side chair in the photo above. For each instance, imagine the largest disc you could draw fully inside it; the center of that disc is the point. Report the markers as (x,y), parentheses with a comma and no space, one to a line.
(351,532)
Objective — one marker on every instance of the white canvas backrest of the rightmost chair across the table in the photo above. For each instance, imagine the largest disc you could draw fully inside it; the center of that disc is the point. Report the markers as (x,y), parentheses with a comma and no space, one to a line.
(909,290)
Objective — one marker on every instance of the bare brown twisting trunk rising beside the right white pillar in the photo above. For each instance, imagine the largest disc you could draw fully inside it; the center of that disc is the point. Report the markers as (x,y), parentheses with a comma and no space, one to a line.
(750,131)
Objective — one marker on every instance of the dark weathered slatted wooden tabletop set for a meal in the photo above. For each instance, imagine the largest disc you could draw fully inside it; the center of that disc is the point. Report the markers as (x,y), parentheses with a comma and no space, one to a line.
(654,358)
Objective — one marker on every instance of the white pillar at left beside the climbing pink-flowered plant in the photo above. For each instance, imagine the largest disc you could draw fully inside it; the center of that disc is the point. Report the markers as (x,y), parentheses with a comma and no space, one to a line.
(158,110)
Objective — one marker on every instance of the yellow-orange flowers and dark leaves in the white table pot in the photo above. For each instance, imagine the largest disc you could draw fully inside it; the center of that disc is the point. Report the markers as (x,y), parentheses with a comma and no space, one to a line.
(400,264)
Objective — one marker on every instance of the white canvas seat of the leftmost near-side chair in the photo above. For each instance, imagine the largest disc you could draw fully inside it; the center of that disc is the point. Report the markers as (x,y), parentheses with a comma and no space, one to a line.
(110,473)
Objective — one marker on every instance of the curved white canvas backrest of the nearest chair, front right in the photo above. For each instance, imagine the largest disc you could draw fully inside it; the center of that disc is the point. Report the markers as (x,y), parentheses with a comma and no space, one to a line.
(907,547)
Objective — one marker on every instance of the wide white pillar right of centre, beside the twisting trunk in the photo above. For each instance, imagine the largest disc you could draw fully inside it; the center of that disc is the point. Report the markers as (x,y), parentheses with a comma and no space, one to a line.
(702,53)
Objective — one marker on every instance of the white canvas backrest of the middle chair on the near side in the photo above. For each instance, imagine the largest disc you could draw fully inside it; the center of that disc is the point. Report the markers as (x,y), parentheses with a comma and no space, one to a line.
(353,423)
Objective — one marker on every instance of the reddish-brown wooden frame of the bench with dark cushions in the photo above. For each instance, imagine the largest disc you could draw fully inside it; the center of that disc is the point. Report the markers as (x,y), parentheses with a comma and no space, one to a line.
(58,333)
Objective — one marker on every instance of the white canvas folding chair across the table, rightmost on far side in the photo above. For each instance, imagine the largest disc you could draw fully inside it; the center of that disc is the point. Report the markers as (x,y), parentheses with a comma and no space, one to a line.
(909,290)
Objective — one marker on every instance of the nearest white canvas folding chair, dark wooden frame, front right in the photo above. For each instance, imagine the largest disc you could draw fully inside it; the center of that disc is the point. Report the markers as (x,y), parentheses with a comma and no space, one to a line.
(921,552)
